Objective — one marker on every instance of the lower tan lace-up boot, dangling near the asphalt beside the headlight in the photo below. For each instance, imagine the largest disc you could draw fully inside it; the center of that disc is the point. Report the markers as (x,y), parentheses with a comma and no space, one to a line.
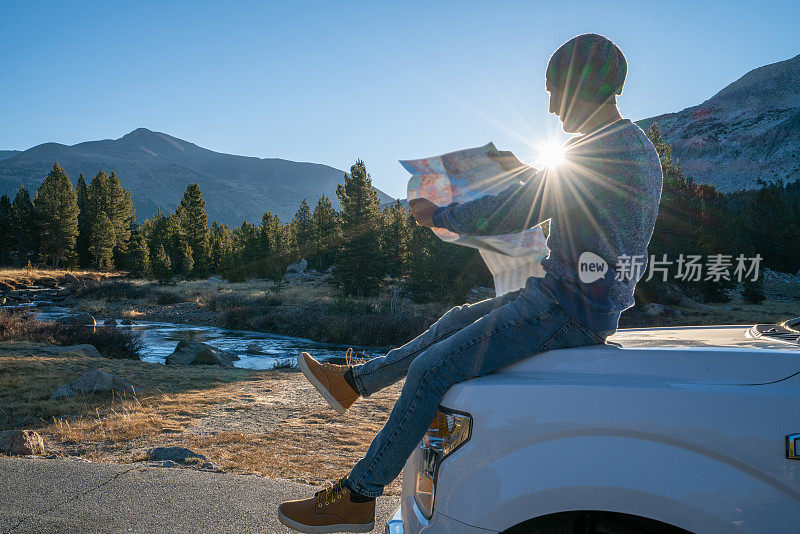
(329,510)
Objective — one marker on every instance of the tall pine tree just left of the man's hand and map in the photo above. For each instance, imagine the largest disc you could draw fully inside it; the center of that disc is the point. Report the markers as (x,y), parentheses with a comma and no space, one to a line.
(359,269)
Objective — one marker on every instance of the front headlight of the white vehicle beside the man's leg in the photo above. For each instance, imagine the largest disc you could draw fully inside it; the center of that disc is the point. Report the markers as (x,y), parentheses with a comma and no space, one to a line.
(447,432)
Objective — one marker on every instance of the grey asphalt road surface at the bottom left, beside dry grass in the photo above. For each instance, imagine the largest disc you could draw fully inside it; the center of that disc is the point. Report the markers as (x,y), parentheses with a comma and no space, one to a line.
(47,496)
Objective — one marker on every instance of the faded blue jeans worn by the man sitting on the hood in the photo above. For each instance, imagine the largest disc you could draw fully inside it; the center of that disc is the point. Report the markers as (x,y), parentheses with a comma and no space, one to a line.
(467,341)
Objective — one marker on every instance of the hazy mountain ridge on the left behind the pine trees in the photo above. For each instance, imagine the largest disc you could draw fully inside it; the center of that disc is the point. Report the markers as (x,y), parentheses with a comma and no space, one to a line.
(157,167)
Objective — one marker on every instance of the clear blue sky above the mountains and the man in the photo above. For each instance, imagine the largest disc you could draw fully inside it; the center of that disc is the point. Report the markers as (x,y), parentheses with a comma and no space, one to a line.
(330,82)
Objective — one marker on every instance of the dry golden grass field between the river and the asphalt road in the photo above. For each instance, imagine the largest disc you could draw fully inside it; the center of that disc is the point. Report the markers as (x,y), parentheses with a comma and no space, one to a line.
(267,422)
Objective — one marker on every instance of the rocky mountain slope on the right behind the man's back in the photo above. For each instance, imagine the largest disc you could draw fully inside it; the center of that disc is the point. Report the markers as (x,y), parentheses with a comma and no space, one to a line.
(750,130)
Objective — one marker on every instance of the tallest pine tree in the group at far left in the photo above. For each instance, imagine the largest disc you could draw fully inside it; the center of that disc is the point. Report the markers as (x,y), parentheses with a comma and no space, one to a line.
(56,208)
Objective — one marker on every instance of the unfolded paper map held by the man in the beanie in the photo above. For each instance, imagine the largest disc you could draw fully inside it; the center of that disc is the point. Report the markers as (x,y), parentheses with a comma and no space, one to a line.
(463,176)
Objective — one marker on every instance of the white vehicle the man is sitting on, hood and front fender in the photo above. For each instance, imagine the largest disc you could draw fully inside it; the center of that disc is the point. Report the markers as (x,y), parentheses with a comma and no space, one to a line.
(661,430)
